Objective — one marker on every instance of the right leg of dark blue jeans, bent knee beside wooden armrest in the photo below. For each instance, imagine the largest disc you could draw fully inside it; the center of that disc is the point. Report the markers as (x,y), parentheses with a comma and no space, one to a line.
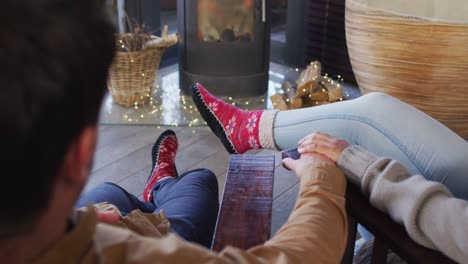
(191,204)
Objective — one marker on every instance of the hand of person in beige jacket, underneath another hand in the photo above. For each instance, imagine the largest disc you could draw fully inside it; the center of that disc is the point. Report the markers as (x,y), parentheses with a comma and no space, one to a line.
(306,162)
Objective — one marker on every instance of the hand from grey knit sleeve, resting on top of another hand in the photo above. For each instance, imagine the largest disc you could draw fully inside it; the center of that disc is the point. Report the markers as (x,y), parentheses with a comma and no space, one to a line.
(324,144)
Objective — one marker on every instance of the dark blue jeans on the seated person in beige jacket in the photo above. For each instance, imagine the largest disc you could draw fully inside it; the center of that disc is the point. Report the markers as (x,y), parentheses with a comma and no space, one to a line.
(190,203)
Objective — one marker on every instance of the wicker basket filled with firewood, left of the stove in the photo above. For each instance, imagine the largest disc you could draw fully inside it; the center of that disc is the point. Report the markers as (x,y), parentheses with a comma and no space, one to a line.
(132,75)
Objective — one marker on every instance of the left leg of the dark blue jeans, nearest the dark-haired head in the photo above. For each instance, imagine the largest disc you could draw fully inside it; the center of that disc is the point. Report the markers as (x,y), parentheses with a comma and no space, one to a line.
(116,195)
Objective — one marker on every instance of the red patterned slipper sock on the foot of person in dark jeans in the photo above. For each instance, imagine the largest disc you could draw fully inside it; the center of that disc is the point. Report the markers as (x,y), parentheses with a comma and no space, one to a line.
(163,155)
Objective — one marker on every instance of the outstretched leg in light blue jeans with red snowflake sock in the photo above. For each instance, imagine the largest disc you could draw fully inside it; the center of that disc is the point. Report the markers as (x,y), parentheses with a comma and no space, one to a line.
(377,122)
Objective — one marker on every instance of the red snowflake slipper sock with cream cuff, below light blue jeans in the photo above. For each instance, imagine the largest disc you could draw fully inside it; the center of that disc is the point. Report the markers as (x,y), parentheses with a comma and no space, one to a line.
(238,130)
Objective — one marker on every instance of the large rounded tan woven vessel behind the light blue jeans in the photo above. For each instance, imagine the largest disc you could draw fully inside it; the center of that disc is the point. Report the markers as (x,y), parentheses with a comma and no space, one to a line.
(416,51)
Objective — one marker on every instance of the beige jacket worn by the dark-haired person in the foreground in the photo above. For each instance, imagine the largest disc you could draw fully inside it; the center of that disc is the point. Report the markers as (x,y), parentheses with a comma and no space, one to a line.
(315,232)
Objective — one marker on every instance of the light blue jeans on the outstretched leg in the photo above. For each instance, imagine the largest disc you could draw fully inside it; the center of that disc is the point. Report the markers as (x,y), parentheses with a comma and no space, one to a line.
(387,127)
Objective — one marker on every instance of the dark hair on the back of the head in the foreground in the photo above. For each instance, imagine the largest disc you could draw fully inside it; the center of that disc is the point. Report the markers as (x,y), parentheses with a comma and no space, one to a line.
(54,60)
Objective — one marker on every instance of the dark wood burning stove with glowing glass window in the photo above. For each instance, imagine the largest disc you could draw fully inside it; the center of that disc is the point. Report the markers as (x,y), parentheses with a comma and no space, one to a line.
(225,45)
